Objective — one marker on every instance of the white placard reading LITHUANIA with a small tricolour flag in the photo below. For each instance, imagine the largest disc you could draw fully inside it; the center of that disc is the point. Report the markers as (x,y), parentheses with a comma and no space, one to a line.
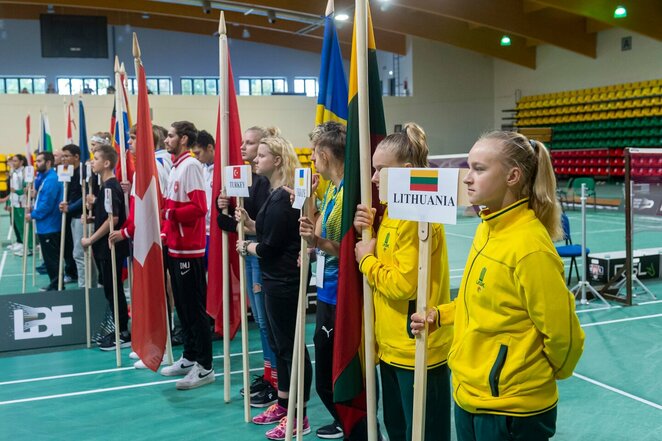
(423,194)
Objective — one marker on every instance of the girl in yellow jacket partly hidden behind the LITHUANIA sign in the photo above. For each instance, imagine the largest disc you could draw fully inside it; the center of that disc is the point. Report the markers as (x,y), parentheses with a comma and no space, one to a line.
(390,263)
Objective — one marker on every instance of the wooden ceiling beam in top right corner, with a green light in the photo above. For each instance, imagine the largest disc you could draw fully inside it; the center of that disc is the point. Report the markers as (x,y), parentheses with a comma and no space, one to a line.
(644,16)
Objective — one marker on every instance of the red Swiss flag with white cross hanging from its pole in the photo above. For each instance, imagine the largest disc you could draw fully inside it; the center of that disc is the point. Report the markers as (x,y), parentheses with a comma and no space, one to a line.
(149,326)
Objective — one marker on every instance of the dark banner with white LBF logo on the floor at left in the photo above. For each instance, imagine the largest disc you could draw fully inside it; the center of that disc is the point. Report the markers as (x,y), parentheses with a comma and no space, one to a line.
(37,320)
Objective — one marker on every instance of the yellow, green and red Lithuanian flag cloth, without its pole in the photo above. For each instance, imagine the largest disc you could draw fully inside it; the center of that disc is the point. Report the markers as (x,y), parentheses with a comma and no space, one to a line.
(348,382)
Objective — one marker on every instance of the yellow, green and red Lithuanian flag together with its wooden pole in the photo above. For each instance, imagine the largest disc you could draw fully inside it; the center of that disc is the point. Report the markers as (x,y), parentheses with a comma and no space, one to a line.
(355,398)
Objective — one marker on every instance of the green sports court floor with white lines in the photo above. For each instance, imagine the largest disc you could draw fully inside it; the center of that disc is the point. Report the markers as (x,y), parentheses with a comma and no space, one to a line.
(78,394)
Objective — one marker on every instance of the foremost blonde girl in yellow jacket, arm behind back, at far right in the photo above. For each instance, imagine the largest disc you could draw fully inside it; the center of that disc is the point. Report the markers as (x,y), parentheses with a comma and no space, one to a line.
(515,327)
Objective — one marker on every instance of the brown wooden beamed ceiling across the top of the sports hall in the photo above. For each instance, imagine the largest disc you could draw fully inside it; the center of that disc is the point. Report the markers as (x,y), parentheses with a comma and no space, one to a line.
(476,25)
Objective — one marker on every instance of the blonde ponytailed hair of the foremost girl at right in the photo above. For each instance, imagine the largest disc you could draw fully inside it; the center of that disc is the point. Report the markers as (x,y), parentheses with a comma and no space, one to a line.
(538,179)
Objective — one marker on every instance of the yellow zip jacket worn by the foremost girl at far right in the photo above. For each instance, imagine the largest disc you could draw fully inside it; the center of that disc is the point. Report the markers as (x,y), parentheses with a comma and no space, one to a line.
(516,330)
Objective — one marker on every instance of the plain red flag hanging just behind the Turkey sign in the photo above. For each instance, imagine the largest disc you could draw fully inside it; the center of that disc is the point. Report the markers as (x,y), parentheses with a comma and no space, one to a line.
(215,263)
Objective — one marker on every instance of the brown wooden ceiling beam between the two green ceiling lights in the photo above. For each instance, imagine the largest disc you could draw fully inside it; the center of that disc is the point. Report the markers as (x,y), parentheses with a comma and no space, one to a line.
(562,30)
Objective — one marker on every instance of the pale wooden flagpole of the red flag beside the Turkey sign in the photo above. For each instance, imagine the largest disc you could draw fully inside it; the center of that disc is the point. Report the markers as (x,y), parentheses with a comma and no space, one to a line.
(225,154)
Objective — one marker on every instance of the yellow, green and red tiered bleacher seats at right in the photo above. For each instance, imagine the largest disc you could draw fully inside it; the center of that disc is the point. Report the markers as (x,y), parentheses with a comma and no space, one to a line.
(591,127)
